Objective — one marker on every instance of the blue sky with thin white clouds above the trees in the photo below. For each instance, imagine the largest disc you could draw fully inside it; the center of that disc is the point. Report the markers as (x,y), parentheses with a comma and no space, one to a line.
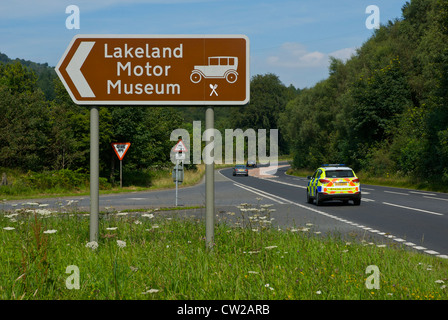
(292,39)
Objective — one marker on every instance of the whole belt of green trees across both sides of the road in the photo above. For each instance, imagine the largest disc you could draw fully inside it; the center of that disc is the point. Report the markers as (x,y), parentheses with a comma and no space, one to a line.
(384,110)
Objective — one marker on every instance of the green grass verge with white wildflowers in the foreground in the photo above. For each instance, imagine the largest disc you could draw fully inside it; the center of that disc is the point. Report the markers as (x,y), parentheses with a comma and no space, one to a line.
(153,255)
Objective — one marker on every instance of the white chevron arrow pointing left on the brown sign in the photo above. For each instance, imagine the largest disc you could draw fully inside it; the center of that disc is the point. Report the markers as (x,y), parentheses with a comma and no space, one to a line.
(74,69)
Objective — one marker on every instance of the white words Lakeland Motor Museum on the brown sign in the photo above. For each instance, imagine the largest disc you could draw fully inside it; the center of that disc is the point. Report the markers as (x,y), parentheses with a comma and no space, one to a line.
(145,69)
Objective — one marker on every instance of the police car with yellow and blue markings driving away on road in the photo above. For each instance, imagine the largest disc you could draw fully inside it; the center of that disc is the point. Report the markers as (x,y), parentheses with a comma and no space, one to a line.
(333,182)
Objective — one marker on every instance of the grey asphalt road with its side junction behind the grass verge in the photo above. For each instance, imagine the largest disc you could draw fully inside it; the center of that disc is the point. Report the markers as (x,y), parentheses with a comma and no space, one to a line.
(416,219)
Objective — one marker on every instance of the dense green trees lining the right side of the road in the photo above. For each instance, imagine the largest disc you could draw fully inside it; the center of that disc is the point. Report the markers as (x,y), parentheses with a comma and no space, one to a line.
(385,109)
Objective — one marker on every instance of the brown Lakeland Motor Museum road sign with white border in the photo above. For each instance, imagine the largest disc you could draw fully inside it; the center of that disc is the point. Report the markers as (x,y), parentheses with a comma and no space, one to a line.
(157,69)
